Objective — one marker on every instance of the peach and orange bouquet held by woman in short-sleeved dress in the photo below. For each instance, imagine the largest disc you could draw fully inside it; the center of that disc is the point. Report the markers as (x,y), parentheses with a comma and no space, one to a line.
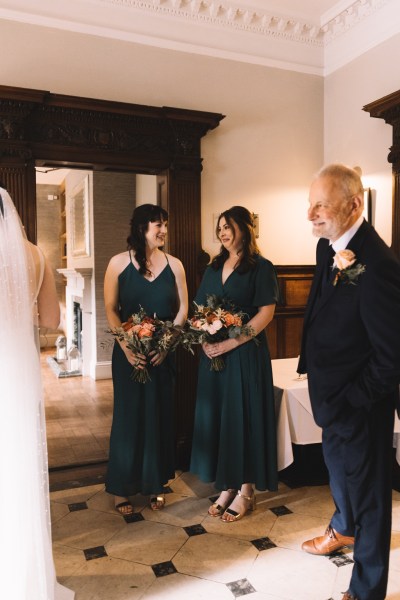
(213,323)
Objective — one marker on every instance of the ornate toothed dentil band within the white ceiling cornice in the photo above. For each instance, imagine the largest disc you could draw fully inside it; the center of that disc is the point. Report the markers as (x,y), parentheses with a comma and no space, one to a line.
(238,16)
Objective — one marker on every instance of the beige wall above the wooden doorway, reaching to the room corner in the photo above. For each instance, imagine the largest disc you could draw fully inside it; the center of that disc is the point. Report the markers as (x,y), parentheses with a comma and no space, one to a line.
(263,153)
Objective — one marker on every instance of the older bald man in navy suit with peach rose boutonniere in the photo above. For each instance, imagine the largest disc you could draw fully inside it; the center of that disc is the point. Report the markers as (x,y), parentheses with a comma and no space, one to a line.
(351,353)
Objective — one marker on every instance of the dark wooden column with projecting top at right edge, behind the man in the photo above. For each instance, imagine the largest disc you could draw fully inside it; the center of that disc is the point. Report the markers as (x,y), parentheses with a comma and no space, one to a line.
(388,108)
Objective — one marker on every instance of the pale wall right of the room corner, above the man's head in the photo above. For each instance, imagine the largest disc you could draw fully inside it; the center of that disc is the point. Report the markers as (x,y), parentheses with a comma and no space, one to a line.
(351,135)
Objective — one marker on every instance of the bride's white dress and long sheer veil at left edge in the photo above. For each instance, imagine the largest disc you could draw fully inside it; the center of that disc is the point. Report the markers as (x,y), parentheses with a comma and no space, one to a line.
(26,560)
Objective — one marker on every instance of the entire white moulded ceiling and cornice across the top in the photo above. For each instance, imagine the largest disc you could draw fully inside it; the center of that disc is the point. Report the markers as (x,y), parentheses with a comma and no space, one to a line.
(310,36)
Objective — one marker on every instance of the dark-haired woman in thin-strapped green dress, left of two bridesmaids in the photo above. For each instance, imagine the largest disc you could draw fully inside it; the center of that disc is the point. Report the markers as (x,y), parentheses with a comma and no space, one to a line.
(141,457)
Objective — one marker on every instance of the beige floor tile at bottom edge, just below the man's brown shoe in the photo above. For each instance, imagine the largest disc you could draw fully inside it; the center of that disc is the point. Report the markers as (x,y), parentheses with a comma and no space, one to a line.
(293,575)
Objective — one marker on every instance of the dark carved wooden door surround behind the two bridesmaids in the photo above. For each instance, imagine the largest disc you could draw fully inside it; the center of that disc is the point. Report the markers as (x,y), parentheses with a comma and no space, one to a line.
(45,129)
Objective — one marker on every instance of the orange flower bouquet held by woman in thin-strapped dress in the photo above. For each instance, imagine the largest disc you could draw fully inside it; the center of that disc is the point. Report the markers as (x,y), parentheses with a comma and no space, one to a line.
(144,334)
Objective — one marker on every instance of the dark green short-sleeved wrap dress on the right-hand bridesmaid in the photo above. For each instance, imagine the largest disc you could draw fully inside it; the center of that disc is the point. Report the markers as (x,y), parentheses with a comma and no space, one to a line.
(234,439)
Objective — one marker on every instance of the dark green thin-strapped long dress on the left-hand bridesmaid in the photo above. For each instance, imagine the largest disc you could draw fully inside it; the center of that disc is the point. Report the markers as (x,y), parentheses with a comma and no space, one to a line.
(141,457)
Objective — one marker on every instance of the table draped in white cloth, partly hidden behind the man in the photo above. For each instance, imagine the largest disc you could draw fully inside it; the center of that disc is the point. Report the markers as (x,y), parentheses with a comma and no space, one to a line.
(295,422)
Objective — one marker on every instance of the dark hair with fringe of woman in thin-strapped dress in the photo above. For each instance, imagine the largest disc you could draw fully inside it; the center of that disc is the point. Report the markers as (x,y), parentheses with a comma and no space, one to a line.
(142,216)
